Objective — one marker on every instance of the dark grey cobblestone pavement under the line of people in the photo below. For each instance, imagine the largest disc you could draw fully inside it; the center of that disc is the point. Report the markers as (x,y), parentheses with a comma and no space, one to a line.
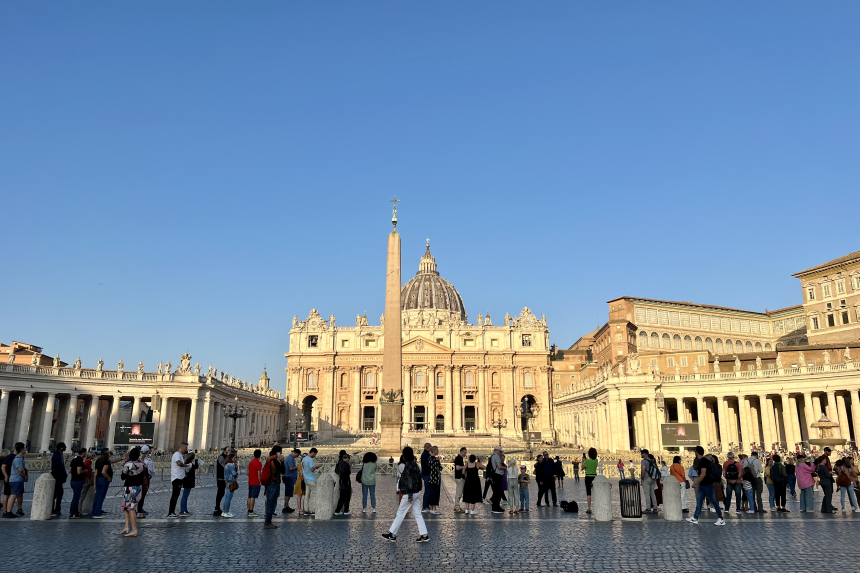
(545,539)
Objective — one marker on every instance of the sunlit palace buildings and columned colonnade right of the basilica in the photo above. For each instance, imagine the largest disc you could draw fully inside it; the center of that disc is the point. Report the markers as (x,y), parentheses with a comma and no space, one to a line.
(744,378)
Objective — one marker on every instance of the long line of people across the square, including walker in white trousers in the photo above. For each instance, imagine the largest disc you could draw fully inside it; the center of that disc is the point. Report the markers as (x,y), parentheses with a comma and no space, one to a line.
(418,482)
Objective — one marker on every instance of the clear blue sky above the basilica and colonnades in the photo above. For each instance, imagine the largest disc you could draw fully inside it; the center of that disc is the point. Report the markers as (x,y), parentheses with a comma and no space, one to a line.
(187,176)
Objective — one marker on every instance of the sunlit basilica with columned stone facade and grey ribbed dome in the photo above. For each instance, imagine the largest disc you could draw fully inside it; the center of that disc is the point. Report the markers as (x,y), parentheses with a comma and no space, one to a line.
(457,377)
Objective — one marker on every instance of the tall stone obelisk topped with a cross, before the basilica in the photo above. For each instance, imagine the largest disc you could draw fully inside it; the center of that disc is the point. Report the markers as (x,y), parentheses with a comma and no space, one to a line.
(391,401)
